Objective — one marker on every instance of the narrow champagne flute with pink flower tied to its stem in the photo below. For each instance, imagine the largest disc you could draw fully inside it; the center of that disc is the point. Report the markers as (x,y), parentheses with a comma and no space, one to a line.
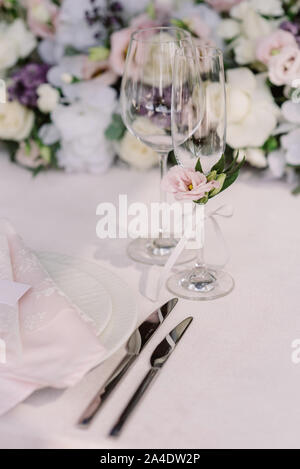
(199,133)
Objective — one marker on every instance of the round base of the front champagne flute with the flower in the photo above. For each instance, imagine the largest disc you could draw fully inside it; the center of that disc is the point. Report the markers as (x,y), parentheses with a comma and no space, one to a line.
(217,284)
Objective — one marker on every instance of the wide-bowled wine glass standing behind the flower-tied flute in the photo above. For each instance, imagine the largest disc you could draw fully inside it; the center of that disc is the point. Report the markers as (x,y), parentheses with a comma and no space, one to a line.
(146,93)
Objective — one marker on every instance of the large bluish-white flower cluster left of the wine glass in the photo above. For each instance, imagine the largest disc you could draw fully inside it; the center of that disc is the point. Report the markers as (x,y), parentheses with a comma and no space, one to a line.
(82,124)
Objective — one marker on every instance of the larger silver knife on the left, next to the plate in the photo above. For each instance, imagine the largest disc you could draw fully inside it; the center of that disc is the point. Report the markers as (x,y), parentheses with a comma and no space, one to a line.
(135,345)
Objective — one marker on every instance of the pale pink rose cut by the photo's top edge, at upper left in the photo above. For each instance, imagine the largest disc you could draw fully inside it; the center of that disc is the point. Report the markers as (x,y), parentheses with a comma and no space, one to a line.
(42,17)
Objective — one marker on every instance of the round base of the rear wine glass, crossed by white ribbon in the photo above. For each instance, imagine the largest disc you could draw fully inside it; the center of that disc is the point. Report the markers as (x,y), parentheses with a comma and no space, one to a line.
(157,252)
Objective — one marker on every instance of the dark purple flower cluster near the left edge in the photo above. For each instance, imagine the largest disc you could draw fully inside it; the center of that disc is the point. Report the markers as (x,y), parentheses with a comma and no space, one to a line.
(25,83)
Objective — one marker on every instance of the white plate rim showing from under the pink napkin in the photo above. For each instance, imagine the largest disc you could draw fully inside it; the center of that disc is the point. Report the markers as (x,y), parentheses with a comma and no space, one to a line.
(123,314)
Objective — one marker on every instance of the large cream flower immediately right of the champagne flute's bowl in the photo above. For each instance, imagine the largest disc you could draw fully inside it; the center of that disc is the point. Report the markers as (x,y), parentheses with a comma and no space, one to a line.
(252,114)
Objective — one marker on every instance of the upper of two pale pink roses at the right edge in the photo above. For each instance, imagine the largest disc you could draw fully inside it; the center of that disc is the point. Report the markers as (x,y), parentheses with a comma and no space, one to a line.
(270,46)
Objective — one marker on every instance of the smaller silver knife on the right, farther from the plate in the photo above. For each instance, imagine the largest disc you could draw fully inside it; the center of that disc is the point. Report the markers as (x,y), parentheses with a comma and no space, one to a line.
(157,360)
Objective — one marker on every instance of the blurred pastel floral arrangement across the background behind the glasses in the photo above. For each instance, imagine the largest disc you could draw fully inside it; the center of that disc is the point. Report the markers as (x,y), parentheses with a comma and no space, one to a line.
(62,63)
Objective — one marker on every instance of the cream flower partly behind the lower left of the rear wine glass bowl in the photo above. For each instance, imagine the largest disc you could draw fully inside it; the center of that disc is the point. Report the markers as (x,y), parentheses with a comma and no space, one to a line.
(135,152)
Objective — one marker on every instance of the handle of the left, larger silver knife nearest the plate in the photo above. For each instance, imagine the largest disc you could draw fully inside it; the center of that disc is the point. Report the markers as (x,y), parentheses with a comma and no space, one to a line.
(109,385)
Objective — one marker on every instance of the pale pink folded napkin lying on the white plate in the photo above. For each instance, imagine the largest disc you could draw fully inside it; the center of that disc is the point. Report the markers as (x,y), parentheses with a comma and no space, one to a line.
(50,342)
